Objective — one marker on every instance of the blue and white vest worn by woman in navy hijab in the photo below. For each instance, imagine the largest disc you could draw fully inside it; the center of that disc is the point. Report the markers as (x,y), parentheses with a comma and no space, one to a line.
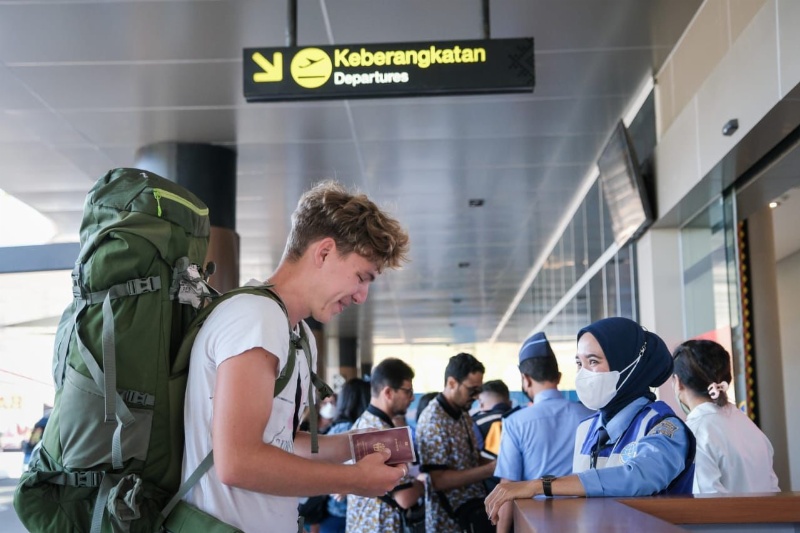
(618,453)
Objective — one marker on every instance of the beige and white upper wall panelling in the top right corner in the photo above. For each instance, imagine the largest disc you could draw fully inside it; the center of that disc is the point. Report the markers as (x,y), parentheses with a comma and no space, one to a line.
(754,66)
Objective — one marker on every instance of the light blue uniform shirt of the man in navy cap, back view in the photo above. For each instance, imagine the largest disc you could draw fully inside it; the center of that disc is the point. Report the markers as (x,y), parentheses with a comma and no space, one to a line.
(540,439)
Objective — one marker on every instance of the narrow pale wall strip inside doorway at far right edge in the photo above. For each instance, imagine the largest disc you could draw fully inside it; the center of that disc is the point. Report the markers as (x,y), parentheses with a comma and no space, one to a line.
(788,277)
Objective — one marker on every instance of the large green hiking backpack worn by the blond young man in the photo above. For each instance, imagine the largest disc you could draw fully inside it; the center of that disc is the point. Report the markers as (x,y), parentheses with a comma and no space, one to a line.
(110,457)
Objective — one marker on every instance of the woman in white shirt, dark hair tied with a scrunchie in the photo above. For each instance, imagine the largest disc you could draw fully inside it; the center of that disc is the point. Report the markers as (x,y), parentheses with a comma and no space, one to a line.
(733,455)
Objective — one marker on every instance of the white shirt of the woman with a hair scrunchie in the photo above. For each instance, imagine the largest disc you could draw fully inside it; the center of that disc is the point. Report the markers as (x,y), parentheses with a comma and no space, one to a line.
(733,455)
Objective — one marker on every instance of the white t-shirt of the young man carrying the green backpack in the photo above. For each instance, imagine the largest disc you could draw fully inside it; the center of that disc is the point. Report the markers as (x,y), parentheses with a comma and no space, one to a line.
(235,326)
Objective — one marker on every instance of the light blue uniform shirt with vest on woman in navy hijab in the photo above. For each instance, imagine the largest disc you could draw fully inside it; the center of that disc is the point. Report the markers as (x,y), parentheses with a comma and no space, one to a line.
(647,455)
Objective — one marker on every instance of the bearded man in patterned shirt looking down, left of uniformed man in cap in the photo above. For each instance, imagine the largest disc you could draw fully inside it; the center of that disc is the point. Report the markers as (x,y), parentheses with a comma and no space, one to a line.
(448,449)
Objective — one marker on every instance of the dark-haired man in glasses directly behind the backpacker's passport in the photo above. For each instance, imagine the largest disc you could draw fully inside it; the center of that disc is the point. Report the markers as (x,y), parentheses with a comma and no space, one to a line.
(392,392)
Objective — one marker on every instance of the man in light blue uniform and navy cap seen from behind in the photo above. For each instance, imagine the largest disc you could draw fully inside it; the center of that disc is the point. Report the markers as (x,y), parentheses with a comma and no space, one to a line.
(539,439)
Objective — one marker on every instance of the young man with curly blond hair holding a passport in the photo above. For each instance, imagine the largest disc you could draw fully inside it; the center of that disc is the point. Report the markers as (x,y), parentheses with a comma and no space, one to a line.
(340,242)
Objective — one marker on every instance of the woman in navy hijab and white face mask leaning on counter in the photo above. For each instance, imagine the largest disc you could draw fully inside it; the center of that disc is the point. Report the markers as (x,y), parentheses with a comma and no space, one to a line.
(633,445)
